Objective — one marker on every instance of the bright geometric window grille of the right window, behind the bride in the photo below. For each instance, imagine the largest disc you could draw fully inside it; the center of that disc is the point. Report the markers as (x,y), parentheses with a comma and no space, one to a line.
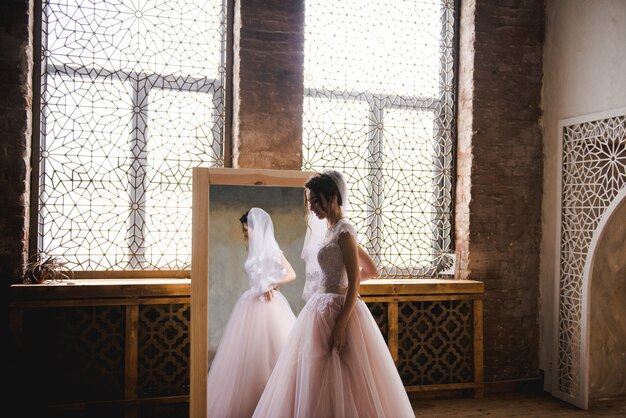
(379,105)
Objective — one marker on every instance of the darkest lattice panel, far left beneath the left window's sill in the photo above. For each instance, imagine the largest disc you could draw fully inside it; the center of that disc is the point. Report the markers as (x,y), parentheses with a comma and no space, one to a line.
(61,346)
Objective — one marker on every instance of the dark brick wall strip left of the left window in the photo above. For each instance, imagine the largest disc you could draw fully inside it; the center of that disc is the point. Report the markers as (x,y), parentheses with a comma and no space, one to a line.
(16,63)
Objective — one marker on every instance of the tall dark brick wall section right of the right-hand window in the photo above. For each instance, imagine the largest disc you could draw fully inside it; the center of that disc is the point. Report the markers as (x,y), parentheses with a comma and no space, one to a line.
(506,181)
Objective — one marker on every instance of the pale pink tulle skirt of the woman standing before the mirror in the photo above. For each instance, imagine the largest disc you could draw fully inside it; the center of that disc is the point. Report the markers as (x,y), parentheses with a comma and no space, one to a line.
(310,380)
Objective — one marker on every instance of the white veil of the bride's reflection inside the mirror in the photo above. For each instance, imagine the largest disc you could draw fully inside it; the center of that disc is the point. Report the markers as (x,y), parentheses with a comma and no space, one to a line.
(264,263)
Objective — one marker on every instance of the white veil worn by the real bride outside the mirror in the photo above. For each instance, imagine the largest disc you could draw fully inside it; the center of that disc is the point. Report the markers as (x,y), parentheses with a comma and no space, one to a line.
(315,234)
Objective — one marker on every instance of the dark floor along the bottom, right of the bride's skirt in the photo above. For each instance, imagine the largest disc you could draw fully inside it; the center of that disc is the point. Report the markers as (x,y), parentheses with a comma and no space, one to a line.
(514,405)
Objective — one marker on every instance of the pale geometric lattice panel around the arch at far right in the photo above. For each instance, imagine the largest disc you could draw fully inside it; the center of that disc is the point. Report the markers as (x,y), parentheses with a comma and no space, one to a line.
(593,172)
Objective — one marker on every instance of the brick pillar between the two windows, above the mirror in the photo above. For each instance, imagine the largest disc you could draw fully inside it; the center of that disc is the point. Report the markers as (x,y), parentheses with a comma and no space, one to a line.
(268,98)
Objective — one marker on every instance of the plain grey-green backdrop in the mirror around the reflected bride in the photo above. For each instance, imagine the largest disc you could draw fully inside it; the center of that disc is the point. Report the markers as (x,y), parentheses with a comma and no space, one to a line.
(228,251)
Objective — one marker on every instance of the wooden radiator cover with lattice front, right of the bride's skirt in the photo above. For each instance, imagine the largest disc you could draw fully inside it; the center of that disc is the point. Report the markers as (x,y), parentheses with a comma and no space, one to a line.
(441,324)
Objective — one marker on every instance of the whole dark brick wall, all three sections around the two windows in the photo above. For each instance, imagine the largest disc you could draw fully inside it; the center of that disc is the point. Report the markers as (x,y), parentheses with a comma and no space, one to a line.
(500,147)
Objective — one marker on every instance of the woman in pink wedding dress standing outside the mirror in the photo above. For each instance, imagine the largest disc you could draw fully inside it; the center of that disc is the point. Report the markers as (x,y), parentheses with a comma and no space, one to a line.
(336,362)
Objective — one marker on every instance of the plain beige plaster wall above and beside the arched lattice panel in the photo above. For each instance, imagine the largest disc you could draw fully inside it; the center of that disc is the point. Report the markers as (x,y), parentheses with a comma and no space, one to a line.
(584,67)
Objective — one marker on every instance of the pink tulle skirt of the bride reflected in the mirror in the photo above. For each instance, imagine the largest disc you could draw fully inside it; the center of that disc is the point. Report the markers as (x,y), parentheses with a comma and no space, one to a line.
(253,338)
